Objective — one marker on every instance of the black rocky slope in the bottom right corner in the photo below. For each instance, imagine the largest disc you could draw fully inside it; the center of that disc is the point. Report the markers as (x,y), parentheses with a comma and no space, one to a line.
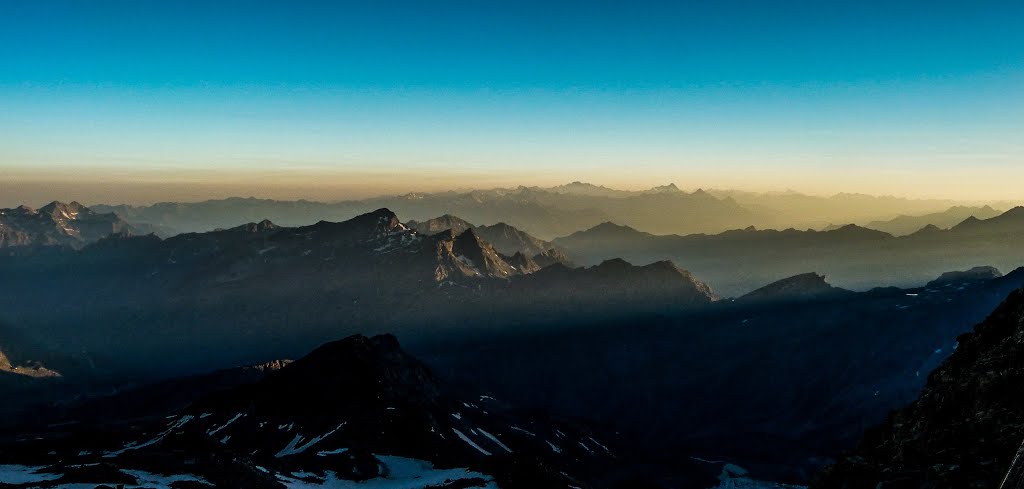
(966,427)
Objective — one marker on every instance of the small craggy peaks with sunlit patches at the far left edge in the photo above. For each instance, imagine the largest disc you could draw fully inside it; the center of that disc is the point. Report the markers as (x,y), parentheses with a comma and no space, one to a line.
(58,225)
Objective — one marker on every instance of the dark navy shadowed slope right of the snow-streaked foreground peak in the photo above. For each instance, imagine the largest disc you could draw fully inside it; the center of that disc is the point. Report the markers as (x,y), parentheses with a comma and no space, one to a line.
(777,387)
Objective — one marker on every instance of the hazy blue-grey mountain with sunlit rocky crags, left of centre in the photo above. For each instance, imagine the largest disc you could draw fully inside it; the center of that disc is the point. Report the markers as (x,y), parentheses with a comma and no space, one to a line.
(247,287)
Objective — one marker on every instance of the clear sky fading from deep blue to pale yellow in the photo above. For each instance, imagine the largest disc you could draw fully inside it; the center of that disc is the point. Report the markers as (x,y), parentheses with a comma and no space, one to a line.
(142,101)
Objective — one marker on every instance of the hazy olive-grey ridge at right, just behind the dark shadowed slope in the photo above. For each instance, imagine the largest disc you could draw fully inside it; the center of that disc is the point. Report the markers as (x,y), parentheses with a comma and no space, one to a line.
(857,258)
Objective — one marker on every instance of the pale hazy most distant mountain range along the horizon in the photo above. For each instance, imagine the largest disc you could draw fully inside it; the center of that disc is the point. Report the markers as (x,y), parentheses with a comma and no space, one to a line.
(559,211)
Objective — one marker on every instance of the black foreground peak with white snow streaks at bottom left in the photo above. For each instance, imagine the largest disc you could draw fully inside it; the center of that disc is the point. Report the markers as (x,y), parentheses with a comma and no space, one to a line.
(356,411)
